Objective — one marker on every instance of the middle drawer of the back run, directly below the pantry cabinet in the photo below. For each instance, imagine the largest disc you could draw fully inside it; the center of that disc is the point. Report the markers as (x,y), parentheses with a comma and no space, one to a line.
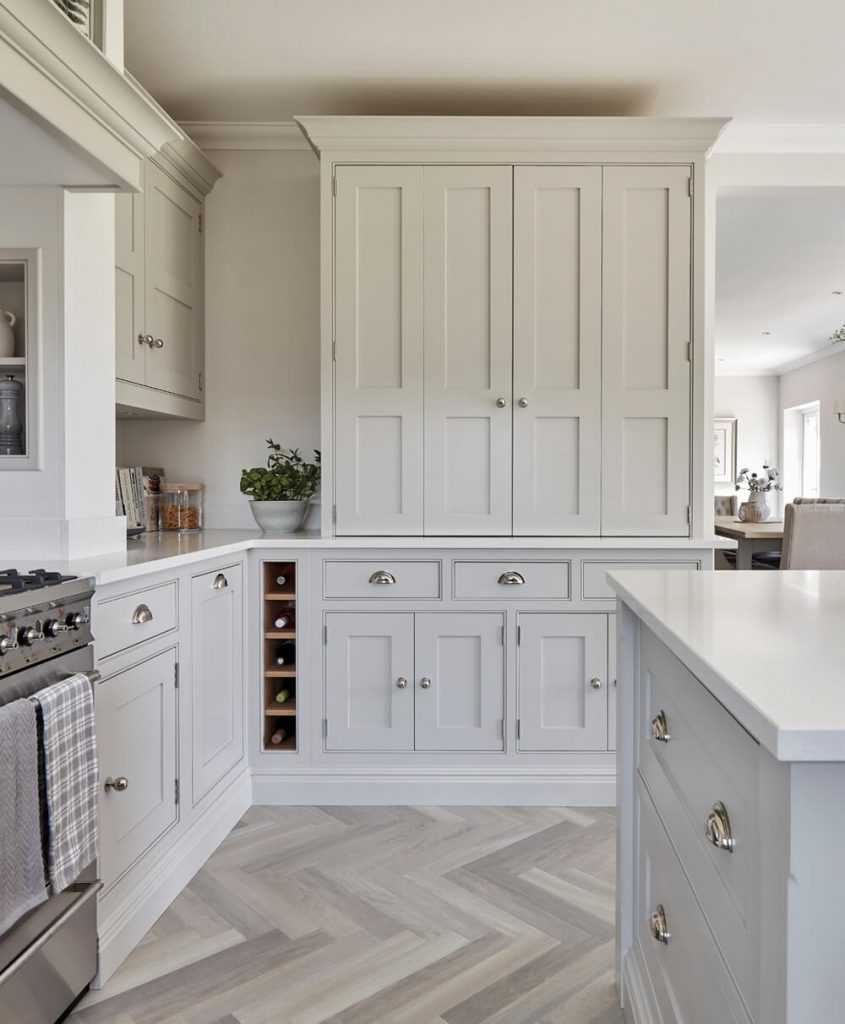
(510,581)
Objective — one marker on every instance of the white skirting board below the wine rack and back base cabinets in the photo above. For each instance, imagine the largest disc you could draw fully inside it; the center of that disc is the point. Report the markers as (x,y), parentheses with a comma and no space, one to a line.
(590,790)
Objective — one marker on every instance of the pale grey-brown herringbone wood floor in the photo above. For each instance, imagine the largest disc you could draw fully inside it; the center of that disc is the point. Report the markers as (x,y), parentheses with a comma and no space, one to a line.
(385,916)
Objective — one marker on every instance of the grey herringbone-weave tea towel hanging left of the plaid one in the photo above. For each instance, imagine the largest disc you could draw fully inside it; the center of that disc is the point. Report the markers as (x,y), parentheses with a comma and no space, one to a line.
(22,868)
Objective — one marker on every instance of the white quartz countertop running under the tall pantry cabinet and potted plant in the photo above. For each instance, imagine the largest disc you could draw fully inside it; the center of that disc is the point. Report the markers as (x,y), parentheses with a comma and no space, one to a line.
(155,552)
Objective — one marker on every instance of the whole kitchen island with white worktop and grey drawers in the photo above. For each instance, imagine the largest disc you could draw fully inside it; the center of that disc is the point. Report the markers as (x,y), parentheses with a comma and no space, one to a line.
(731,775)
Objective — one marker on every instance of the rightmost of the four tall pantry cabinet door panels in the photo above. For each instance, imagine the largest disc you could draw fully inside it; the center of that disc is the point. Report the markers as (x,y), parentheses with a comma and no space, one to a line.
(647,329)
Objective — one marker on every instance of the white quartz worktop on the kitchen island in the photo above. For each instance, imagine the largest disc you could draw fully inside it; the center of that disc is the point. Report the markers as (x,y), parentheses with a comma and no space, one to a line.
(771,647)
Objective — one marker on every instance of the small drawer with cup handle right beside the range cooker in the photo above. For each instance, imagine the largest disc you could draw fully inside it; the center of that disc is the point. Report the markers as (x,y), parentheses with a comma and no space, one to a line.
(132,619)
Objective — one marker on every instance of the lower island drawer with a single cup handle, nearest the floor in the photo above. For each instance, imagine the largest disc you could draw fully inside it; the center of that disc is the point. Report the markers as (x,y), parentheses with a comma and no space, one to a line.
(691,983)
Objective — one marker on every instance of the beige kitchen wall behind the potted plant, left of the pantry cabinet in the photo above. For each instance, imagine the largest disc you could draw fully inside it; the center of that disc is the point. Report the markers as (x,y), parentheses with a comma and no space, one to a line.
(263,332)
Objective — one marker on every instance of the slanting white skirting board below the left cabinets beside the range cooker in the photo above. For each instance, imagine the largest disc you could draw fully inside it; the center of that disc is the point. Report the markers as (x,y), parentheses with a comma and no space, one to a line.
(146,903)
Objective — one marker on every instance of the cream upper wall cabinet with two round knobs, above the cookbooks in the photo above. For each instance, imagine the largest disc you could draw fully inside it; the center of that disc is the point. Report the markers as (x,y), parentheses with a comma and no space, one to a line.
(160,333)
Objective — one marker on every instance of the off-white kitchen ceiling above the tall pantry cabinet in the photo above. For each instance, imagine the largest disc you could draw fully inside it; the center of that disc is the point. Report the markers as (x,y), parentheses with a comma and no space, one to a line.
(268,60)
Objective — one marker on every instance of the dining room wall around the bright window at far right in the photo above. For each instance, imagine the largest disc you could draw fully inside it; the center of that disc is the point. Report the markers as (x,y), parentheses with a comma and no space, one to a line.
(824,382)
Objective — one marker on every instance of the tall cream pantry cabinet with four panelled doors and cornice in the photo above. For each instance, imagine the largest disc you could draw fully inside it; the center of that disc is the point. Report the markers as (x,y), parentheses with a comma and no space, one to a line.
(513,316)
